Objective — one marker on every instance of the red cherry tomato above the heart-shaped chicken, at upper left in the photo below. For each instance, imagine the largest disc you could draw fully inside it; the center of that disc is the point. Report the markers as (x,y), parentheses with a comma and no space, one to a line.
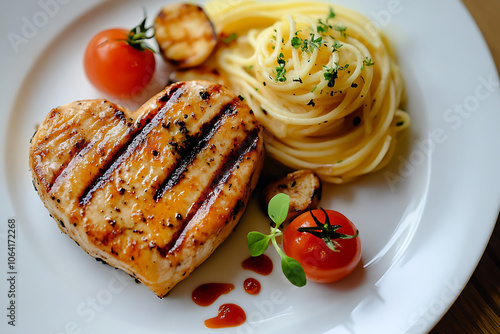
(118,63)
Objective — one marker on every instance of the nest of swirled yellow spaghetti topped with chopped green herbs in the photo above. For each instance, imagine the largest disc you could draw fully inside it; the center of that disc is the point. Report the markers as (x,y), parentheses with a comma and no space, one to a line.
(324,86)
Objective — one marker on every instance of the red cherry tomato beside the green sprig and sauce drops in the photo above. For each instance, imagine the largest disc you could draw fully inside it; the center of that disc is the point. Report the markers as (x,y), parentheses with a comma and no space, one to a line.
(321,264)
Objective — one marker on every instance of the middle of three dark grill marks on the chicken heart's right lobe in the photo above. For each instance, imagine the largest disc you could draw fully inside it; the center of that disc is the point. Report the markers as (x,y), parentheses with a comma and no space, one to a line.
(194,146)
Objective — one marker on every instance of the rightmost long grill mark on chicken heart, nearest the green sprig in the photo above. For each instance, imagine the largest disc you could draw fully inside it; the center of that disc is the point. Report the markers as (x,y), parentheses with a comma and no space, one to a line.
(212,190)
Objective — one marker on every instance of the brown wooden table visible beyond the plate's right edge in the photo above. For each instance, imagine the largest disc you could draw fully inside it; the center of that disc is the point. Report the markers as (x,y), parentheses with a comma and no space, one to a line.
(477,309)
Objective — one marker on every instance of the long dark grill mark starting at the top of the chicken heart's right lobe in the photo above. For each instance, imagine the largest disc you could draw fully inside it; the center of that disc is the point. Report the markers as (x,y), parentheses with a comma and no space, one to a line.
(137,135)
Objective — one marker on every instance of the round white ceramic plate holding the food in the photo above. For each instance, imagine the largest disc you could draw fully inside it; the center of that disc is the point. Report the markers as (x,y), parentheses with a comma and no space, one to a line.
(424,220)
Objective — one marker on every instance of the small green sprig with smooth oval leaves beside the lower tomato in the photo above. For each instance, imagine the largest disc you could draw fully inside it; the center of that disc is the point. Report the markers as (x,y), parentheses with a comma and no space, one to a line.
(258,242)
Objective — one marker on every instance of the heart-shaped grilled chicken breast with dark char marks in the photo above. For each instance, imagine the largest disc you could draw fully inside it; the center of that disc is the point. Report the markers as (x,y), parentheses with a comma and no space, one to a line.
(155,191)
